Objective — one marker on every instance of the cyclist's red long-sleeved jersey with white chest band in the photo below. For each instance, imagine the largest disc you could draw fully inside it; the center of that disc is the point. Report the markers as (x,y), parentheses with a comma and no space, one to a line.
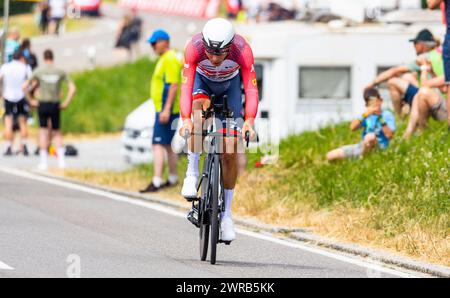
(239,61)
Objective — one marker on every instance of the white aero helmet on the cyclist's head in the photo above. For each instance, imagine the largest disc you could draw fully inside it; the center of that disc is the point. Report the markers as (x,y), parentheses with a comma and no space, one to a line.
(218,35)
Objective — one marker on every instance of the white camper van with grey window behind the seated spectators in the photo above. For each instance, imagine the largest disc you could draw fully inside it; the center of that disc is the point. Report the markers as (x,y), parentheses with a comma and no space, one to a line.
(311,75)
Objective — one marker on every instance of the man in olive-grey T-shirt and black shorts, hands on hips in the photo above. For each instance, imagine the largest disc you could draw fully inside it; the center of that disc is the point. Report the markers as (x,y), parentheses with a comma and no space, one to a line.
(50,80)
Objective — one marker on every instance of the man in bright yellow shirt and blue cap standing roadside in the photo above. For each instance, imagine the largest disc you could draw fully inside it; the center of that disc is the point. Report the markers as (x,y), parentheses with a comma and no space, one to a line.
(165,85)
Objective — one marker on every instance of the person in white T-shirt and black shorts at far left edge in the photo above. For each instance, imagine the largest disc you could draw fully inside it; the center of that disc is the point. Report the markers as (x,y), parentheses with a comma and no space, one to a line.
(13,75)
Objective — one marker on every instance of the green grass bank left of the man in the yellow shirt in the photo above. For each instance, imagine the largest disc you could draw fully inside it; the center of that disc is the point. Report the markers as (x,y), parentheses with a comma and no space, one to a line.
(106,96)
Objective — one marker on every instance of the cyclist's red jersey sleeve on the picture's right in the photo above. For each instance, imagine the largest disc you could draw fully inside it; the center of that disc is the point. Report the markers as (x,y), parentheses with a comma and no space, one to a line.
(250,84)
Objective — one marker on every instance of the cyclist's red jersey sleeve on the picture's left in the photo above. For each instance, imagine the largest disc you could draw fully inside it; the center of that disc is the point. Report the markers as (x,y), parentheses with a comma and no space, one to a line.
(190,66)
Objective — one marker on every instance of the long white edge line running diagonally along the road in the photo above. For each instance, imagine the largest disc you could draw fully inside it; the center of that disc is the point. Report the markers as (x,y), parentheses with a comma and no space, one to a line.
(153,206)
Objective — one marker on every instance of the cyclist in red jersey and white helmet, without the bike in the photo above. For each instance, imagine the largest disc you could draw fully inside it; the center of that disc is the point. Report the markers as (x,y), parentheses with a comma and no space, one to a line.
(218,61)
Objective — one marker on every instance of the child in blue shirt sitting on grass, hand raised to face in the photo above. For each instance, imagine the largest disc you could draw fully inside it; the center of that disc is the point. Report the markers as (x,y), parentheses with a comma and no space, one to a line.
(378,129)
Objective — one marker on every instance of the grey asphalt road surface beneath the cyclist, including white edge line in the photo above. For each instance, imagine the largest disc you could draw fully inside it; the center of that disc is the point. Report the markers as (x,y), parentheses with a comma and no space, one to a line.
(47,227)
